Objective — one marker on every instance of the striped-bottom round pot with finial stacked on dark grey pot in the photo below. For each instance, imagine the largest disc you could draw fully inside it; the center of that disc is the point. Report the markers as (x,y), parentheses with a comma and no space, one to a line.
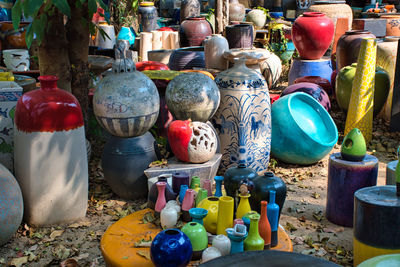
(126,104)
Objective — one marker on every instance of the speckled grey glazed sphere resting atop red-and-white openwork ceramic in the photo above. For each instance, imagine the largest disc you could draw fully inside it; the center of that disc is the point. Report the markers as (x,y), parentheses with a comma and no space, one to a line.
(192,96)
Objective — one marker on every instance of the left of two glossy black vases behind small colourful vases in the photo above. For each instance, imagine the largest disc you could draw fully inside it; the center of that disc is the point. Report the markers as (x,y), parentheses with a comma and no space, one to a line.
(236,176)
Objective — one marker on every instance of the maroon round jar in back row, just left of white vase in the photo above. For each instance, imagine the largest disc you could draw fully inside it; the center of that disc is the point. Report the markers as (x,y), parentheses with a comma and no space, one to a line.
(193,31)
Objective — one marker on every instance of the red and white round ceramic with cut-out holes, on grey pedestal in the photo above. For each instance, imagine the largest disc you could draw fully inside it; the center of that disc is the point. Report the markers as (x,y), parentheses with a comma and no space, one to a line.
(193,142)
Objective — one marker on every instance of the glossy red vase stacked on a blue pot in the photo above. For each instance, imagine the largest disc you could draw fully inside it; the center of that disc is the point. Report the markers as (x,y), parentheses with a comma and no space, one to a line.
(312,34)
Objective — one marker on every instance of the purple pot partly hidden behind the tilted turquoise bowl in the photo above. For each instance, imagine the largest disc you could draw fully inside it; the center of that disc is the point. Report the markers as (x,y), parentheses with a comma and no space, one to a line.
(313,90)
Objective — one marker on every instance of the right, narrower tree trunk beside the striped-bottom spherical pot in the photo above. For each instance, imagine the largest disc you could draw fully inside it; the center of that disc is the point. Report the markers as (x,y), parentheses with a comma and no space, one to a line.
(78,37)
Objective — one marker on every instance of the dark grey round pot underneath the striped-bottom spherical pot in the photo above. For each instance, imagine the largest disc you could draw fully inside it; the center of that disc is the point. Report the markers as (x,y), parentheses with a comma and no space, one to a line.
(124,161)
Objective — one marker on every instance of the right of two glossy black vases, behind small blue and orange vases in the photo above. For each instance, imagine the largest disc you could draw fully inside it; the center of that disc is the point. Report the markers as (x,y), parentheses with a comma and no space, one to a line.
(262,185)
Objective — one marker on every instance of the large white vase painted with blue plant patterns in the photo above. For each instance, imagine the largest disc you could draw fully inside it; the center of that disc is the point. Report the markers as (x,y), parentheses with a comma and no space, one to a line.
(243,119)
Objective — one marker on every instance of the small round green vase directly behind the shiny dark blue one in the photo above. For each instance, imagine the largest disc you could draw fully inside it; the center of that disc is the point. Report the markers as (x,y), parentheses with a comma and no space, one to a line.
(198,237)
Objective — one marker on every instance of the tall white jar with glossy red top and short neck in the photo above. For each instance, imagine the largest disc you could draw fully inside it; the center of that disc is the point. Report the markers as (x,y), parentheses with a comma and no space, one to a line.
(49,143)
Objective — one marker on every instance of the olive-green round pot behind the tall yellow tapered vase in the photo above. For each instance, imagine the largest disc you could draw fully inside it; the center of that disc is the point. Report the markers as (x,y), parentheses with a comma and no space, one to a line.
(344,85)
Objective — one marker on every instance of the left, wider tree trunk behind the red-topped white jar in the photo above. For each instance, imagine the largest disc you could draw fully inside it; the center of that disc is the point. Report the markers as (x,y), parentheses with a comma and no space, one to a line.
(53,52)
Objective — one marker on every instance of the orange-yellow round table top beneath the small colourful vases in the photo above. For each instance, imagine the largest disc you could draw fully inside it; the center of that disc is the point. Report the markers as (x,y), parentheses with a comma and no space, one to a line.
(118,242)
